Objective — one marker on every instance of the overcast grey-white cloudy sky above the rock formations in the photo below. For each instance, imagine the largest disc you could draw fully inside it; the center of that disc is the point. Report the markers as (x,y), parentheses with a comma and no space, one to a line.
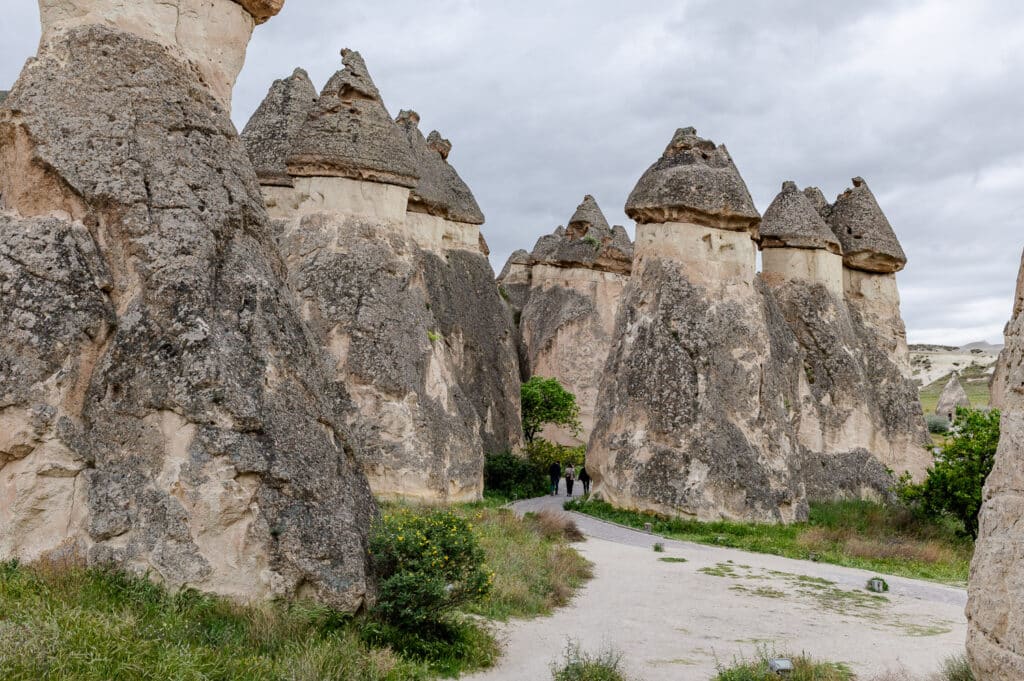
(548,101)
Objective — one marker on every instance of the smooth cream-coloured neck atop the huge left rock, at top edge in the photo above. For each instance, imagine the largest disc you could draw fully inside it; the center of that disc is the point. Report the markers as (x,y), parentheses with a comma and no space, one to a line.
(212,35)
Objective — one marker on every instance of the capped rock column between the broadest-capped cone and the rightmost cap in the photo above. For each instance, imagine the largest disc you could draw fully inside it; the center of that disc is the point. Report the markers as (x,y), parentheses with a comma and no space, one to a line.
(849,417)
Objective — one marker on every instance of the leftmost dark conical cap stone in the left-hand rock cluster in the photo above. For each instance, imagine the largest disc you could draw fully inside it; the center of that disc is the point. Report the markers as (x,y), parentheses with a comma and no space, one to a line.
(271,132)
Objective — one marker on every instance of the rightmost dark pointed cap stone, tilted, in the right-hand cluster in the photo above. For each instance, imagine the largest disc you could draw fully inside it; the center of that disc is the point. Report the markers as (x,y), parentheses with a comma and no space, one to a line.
(869,241)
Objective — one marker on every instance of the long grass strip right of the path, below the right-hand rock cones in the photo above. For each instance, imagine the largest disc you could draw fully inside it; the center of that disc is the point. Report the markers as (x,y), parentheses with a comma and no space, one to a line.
(856,534)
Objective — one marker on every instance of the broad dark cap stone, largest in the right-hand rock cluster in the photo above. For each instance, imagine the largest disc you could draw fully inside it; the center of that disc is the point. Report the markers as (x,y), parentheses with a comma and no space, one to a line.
(694,182)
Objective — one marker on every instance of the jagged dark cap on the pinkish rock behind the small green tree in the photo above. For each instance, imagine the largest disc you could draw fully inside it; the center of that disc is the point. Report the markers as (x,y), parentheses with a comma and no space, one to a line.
(588,242)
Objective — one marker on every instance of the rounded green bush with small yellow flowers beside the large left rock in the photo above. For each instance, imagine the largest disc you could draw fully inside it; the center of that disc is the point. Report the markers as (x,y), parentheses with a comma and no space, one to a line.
(429,564)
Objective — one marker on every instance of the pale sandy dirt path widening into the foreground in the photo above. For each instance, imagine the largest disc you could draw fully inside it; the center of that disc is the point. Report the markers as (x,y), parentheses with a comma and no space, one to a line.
(675,621)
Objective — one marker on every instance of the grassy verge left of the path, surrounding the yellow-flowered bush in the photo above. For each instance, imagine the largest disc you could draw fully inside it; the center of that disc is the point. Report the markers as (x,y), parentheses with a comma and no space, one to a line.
(89,624)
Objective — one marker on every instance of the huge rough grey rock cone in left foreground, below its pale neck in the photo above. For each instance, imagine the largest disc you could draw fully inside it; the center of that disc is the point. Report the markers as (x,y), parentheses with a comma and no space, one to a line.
(163,406)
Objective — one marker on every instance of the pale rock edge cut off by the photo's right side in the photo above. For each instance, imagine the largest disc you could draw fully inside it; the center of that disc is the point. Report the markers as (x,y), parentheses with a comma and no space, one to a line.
(996,607)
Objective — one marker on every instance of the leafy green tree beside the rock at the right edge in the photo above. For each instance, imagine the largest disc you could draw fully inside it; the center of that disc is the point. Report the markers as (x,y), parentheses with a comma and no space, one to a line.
(955,484)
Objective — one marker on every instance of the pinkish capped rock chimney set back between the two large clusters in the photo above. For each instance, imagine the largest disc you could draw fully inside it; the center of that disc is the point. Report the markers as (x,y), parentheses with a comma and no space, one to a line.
(576,282)
